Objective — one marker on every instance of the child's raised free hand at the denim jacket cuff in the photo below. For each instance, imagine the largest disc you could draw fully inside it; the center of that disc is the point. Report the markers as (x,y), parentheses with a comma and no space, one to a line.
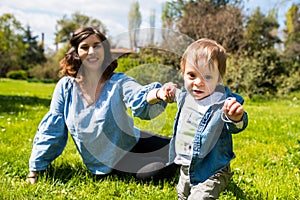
(233,109)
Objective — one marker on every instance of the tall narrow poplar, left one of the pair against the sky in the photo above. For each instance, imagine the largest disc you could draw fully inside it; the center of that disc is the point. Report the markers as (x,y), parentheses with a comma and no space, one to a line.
(134,23)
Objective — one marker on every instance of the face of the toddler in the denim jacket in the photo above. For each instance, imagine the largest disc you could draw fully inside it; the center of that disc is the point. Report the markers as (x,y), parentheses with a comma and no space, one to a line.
(201,81)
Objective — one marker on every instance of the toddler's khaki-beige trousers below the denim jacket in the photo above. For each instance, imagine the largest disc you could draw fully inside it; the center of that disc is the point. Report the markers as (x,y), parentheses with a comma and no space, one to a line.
(210,189)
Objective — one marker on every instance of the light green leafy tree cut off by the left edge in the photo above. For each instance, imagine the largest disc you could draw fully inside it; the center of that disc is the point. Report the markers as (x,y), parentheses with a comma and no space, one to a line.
(11,44)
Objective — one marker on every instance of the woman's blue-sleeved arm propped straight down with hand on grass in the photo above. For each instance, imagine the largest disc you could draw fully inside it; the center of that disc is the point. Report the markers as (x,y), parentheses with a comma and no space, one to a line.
(51,136)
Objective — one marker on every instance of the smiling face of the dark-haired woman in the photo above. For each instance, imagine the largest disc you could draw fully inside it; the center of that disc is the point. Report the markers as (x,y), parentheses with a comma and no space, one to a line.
(91,52)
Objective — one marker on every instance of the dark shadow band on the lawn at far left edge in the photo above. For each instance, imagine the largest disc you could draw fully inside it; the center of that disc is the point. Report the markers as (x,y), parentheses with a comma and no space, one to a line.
(18,103)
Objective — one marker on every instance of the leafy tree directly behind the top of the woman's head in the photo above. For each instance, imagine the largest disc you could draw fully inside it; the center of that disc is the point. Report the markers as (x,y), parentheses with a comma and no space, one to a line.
(66,26)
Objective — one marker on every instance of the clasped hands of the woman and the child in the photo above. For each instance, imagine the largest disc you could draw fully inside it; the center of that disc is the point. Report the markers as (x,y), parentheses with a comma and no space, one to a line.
(167,92)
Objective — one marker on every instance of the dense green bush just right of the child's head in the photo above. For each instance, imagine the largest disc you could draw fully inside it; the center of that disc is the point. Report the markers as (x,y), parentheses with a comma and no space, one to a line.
(256,75)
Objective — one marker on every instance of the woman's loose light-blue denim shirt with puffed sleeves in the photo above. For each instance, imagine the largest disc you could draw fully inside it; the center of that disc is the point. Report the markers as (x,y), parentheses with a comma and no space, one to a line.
(103,132)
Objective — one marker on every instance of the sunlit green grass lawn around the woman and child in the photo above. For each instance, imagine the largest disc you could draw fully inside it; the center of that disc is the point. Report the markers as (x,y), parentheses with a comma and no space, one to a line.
(266,167)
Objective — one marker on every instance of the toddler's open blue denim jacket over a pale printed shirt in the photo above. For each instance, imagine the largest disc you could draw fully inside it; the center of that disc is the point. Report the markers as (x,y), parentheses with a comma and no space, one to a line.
(212,148)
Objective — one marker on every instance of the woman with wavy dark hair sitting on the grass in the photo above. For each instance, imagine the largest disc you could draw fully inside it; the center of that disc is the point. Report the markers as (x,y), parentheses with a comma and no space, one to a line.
(90,101)
